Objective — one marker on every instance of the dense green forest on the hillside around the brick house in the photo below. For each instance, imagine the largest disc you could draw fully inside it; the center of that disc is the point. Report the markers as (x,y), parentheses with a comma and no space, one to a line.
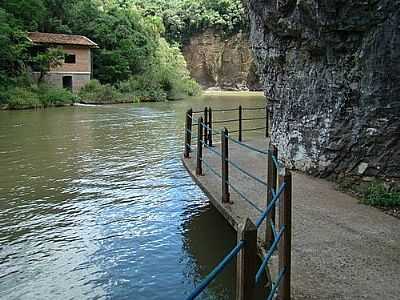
(139,56)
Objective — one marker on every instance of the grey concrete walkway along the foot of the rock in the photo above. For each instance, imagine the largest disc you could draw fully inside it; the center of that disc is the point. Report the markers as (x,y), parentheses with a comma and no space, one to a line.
(341,249)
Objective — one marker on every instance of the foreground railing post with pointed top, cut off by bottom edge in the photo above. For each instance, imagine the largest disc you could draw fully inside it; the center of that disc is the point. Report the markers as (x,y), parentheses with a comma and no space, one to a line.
(247,262)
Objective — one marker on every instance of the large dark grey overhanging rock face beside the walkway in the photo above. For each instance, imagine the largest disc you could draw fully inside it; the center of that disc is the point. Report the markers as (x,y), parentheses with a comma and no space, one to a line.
(332,70)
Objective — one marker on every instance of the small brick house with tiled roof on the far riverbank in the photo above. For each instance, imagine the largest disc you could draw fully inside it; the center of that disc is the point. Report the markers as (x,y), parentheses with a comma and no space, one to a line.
(77,68)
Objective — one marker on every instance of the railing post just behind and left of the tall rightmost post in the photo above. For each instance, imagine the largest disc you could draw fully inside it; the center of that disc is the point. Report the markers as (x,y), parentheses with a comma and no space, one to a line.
(272,184)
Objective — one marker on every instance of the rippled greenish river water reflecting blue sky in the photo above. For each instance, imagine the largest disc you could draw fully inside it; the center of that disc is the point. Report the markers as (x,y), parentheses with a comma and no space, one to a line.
(95,204)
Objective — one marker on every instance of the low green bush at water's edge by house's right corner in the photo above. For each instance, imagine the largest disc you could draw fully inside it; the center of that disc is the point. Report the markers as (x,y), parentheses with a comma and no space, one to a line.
(96,93)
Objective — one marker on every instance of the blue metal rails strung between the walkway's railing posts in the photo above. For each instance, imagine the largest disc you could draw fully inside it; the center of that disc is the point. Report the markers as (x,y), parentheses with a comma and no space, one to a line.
(264,213)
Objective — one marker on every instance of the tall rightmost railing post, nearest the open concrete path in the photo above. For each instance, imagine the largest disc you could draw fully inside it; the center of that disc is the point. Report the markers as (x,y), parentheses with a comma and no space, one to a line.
(285,245)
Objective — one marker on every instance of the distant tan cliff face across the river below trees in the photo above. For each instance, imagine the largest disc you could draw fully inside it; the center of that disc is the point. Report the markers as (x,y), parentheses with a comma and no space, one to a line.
(223,63)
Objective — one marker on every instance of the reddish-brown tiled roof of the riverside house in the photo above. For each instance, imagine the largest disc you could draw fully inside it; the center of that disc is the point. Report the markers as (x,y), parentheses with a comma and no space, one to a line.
(60,39)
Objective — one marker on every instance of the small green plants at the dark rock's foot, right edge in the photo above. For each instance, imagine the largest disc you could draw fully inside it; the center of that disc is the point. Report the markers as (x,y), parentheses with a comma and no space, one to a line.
(378,195)
